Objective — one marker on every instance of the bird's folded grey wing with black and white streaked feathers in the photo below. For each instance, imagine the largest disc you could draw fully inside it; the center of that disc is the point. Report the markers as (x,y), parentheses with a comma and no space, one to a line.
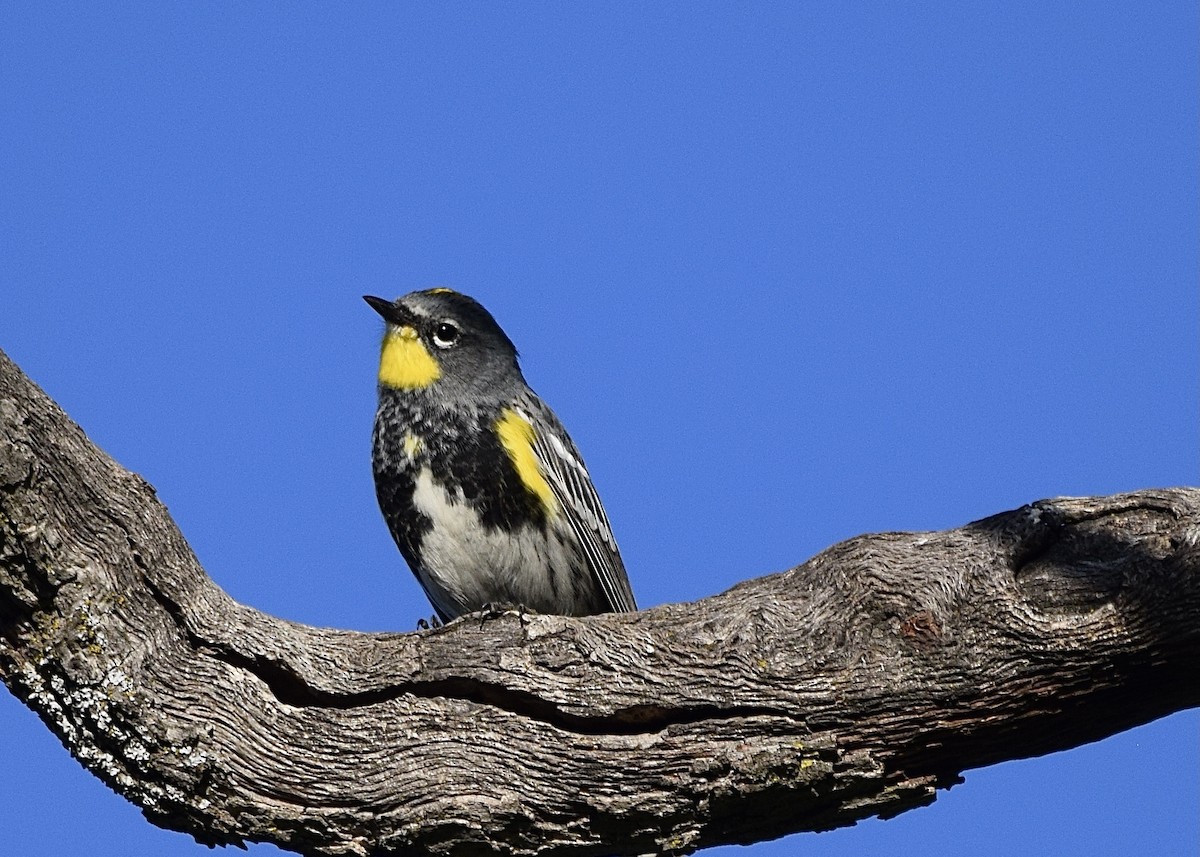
(563,469)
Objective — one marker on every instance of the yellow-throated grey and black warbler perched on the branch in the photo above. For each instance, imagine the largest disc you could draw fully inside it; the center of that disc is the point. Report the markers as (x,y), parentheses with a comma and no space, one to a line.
(484,493)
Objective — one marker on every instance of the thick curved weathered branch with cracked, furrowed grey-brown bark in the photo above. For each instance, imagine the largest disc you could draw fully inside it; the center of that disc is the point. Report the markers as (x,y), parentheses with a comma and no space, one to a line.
(855,685)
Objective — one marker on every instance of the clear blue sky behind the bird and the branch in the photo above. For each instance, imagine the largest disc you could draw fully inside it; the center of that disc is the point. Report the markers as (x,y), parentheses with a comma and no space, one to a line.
(789,273)
